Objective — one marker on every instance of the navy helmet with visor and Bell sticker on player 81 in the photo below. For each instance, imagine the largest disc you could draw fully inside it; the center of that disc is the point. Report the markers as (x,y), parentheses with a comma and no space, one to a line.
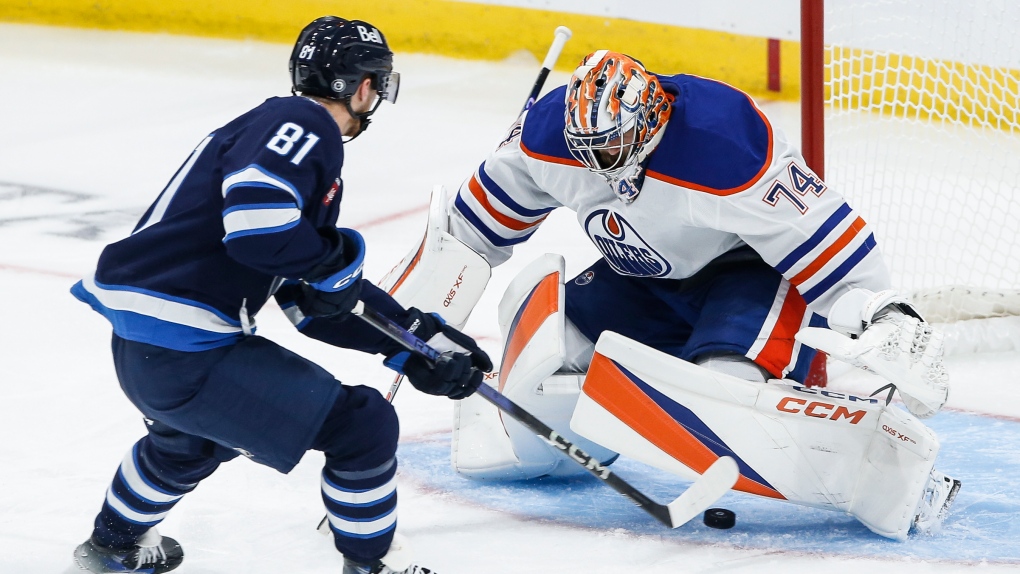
(333,57)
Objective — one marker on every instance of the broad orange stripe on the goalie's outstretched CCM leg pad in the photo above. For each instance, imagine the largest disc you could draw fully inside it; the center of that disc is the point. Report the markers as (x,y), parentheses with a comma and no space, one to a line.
(611,389)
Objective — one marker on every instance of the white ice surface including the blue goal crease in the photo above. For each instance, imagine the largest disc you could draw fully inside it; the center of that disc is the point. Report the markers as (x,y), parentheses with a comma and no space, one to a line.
(93,125)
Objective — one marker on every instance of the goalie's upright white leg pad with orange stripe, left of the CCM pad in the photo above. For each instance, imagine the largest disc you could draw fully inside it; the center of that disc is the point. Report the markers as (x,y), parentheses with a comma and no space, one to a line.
(490,446)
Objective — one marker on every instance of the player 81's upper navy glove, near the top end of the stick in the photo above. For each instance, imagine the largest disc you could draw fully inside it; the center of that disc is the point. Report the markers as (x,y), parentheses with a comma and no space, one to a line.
(332,289)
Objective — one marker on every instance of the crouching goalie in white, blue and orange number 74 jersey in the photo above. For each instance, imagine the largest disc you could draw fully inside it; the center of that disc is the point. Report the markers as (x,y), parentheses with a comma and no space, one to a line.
(726,265)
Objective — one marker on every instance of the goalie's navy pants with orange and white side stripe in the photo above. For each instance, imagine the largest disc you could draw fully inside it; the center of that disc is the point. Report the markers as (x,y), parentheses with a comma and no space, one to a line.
(737,304)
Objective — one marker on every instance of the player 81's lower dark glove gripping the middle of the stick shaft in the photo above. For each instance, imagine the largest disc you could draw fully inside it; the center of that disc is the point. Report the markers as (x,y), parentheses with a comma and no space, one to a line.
(458,373)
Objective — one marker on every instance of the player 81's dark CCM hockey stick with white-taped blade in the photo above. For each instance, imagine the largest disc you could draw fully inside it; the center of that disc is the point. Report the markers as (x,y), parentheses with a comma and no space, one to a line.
(720,478)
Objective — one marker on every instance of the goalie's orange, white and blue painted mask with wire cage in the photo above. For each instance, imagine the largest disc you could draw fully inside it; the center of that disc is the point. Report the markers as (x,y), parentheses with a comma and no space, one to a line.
(616,115)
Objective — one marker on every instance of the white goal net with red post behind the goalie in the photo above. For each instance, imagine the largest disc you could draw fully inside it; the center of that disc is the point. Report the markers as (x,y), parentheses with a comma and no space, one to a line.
(911,110)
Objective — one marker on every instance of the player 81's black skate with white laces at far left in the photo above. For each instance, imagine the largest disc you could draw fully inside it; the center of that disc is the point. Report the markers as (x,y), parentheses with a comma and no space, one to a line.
(154,554)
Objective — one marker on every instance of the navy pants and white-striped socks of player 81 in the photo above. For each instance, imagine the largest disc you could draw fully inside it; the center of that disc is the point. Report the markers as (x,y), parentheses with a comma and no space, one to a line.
(259,400)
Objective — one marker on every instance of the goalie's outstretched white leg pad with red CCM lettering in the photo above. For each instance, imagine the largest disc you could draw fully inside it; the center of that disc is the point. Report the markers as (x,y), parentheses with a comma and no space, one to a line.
(811,447)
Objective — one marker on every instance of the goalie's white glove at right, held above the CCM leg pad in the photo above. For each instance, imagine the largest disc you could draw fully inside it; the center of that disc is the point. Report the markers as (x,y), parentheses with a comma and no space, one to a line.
(883,334)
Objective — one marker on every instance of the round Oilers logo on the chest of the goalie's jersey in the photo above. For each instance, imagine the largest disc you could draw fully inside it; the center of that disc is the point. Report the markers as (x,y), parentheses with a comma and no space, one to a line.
(626,251)
